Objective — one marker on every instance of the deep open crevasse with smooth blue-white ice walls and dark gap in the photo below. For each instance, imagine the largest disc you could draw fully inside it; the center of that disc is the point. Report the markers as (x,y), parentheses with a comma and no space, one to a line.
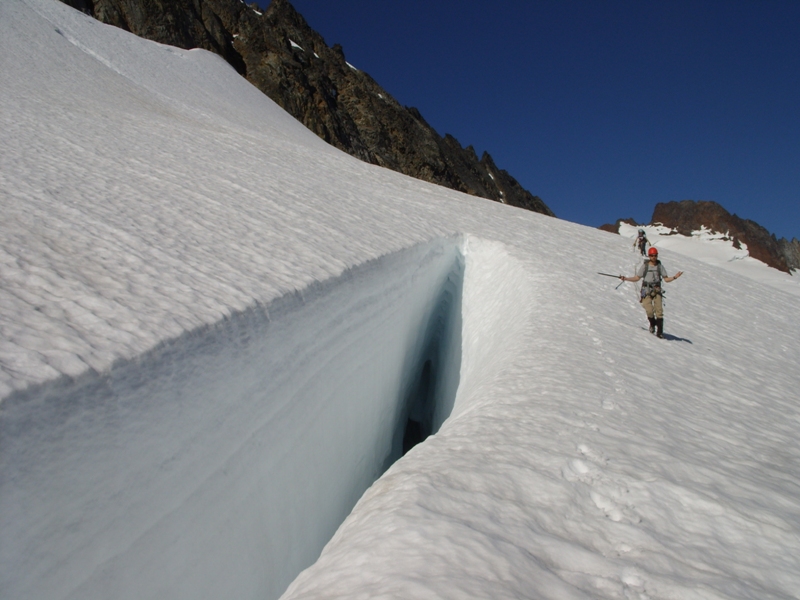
(221,463)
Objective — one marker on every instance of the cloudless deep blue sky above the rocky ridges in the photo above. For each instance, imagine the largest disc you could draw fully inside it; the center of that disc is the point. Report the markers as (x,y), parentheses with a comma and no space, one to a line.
(601,108)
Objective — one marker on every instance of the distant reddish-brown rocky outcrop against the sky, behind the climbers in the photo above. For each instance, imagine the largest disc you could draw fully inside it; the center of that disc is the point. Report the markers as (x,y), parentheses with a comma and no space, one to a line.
(686,216)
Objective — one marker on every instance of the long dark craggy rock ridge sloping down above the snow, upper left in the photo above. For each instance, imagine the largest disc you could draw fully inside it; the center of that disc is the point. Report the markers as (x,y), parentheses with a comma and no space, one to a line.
(282,56)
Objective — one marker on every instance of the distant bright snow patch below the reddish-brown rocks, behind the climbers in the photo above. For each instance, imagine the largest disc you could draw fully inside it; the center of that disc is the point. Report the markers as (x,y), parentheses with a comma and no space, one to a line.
(713,248)
